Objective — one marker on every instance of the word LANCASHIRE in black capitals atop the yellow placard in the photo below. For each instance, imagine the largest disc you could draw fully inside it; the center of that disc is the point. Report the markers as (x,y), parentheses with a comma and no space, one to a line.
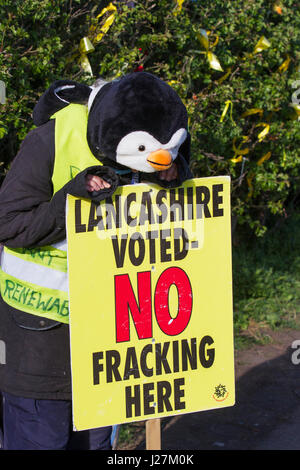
(151,208)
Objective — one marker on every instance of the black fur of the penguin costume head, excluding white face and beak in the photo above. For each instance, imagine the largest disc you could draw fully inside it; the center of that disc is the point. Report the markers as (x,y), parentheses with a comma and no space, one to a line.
(136,102)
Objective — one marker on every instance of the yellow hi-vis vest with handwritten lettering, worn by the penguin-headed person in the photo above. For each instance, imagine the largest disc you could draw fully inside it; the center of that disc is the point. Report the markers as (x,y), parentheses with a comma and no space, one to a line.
(35,280)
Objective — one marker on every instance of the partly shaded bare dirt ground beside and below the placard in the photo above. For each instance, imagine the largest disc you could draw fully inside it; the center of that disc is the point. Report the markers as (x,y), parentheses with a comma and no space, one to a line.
(267,410)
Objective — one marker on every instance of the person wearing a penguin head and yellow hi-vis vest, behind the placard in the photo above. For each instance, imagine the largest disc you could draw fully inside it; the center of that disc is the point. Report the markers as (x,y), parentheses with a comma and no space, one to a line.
(88,141)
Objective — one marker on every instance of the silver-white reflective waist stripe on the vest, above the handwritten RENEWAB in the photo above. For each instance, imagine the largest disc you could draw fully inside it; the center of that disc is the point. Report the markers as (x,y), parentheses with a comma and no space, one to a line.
(42,276)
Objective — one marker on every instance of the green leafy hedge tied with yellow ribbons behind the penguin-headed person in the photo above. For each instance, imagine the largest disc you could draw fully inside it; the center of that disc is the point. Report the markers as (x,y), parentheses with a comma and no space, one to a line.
(39,43)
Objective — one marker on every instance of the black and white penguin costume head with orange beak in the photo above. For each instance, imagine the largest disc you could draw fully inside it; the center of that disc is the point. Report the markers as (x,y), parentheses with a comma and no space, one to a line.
(137,121)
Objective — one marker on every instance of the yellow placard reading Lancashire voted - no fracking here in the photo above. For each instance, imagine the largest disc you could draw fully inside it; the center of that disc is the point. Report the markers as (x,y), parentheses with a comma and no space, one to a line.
(150,287)
